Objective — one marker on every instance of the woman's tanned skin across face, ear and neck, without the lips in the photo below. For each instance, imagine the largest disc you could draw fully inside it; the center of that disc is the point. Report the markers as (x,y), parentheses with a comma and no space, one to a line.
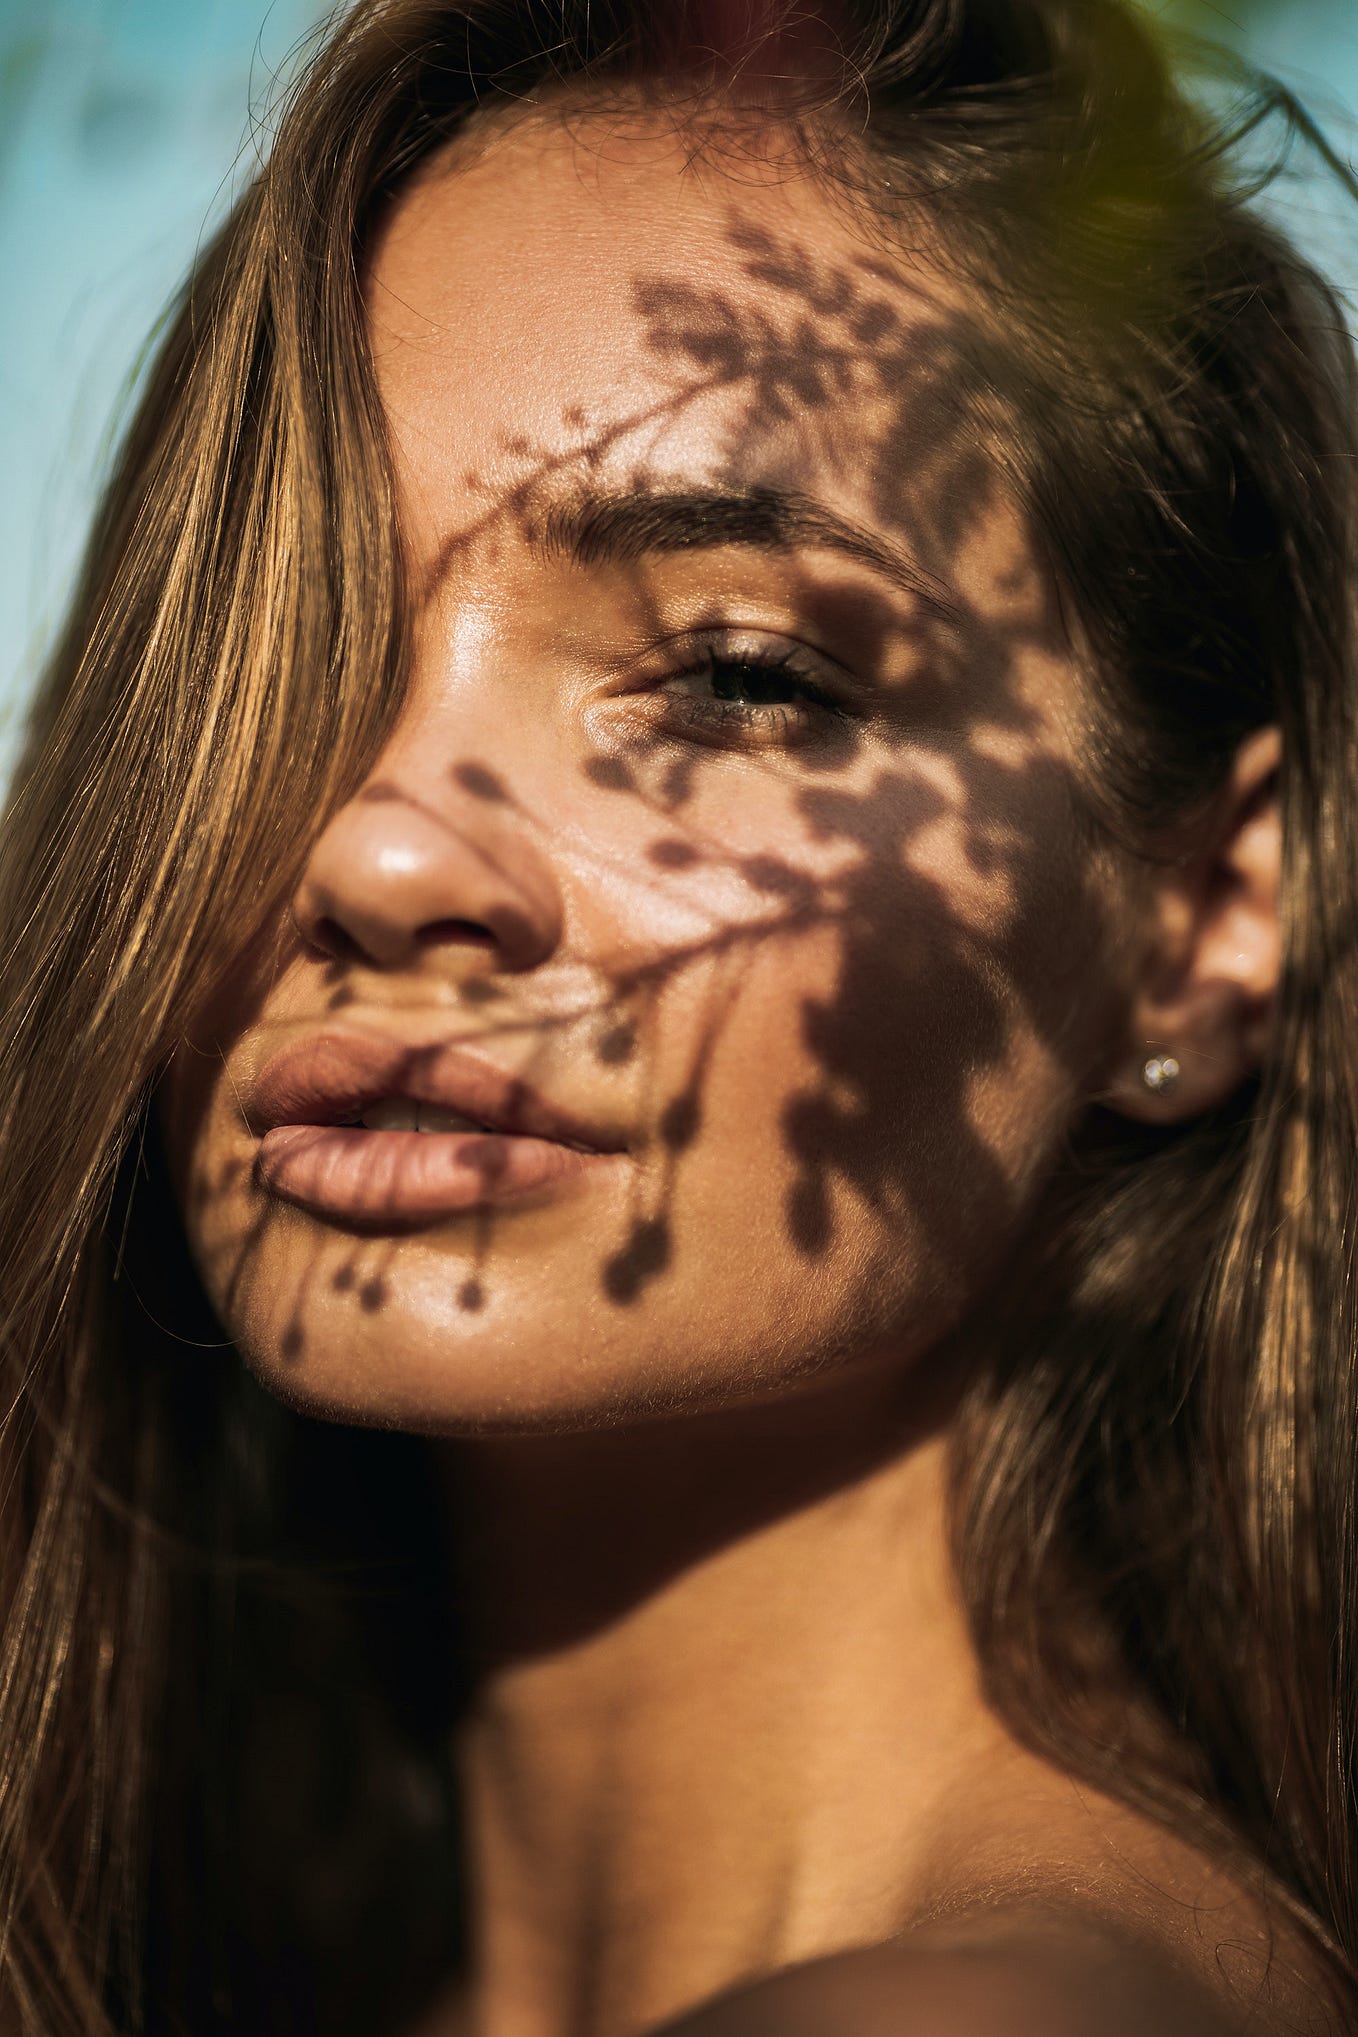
(844,971)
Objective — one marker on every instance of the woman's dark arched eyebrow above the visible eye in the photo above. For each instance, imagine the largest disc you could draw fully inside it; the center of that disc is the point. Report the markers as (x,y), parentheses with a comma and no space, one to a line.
(622,527)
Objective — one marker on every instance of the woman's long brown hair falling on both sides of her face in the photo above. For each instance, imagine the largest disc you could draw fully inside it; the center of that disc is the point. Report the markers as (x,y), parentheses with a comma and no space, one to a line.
(1166,1451)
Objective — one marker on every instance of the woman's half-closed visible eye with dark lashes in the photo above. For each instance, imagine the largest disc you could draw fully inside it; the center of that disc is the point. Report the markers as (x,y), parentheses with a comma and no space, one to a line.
(752,696)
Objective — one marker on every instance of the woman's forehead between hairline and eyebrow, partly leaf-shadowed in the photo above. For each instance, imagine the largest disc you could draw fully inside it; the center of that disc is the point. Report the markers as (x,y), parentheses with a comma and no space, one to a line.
(596,302)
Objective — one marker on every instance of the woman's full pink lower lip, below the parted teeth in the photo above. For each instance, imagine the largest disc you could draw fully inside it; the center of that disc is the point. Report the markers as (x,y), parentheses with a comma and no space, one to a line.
(355,1174)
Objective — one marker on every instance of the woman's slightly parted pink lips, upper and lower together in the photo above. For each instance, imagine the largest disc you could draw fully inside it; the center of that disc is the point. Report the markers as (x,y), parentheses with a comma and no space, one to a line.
(378,1134)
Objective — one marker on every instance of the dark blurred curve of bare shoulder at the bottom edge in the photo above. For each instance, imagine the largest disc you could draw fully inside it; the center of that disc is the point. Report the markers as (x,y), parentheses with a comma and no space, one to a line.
(1021,1983)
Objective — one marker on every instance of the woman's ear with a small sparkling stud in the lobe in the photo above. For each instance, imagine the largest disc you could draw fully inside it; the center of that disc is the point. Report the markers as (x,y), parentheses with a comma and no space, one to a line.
(1206,989)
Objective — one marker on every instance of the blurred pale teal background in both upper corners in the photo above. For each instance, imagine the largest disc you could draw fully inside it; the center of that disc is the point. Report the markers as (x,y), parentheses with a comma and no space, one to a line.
(127,127)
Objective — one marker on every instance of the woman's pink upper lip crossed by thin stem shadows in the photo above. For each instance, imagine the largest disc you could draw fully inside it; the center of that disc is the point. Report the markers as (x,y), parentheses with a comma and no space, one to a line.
(335,1077)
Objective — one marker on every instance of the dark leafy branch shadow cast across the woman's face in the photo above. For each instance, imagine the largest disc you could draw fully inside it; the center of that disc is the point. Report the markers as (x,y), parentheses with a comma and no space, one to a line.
(844,370)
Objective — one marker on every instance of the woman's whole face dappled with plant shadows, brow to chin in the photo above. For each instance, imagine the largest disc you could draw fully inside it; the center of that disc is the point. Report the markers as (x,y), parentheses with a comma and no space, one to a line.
(730,832)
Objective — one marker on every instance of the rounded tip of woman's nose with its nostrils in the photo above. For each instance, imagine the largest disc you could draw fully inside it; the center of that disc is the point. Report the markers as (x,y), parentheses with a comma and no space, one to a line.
(396,875)
